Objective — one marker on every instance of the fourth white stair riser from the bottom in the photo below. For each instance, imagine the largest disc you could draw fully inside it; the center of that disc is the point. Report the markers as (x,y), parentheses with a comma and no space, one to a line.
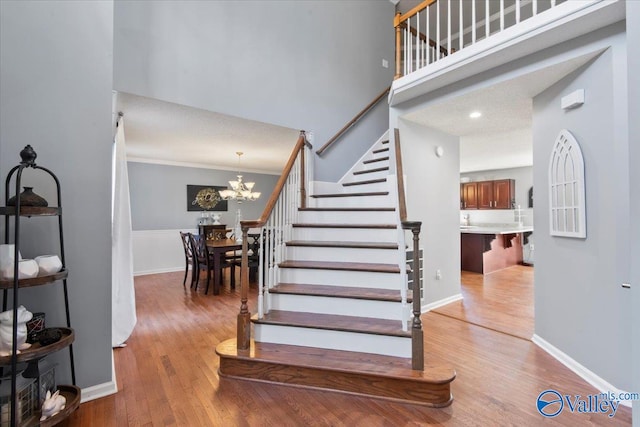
(342,254)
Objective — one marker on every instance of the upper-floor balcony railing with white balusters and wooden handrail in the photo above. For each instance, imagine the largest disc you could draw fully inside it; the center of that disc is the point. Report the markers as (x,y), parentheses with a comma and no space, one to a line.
(435,29)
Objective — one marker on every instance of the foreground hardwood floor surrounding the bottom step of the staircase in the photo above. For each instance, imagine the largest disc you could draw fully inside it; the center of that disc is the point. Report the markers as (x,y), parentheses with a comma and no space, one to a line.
(167,375)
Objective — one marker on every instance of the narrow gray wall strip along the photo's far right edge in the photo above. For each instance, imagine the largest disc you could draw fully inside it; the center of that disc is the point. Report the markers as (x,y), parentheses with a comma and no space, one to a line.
(633,69)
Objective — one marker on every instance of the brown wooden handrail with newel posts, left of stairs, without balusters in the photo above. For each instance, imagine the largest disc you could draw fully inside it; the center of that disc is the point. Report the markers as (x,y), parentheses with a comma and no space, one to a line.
(244,317)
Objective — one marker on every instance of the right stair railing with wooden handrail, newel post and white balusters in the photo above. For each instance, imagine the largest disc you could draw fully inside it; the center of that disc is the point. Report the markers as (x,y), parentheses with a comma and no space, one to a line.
(417,339)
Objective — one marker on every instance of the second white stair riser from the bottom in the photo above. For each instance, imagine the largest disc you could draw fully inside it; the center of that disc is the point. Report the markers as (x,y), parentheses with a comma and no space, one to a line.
(338,306)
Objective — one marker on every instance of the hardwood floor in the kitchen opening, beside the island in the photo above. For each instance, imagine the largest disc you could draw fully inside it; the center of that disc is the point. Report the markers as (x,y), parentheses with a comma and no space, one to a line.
(502,300)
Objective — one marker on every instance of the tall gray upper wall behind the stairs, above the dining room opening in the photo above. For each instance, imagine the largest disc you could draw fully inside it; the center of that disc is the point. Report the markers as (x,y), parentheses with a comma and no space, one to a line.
(308,65)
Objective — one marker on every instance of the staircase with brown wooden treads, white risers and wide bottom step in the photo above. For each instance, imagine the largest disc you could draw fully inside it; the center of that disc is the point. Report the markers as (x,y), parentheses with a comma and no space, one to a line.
(336,318)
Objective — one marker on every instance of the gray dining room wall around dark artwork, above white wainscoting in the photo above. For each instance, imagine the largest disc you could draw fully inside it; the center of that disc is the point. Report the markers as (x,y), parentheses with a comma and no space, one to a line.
(159,198)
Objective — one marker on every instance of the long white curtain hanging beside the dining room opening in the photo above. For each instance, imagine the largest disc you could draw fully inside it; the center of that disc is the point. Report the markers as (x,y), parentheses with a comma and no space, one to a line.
(123,295)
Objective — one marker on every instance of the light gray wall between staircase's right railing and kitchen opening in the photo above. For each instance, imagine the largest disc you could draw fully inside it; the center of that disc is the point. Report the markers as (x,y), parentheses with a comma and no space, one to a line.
(432,192)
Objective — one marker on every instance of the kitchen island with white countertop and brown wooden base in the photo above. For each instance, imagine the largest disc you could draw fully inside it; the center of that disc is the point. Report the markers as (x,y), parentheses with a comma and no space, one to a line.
(491,247)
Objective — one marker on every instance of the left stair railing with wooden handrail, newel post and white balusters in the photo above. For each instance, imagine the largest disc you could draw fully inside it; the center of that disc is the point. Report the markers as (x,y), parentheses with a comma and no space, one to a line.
(276,228)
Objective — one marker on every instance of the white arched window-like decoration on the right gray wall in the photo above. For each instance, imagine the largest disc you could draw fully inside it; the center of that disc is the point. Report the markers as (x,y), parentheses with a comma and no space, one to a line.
(567,206)
